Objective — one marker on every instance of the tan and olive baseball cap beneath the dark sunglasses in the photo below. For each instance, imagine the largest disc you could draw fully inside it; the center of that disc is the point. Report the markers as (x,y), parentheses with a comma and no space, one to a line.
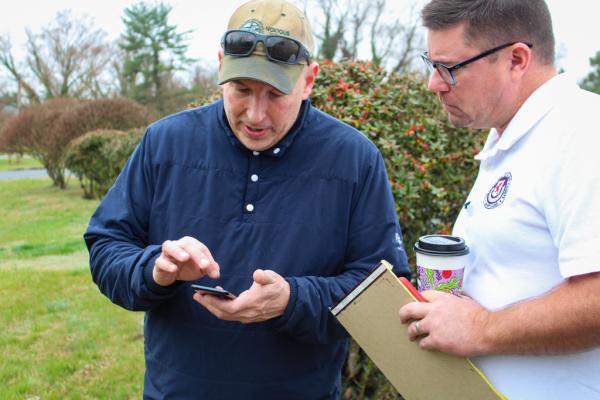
(267,17)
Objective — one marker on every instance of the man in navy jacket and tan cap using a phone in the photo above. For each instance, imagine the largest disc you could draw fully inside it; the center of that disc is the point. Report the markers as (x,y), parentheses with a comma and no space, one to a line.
(258,193)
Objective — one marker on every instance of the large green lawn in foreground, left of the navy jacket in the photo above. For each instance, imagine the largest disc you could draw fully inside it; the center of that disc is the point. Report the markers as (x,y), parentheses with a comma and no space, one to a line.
(60,338)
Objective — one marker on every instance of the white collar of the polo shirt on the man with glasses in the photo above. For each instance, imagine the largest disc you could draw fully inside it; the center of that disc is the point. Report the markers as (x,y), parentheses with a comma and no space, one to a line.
(533,110)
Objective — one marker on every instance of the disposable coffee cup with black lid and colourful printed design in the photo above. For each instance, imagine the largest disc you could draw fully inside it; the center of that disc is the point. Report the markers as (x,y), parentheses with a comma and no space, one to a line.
(441,261)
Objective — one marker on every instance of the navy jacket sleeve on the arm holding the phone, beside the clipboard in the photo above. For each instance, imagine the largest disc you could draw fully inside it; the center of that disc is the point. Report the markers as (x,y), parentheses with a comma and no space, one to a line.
(374,234)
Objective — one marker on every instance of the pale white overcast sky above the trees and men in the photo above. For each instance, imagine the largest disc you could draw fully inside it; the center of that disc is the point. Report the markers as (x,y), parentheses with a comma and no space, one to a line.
(576,24)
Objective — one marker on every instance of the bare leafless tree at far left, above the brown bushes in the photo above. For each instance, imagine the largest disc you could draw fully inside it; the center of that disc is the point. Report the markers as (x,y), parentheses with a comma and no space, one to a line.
(68,58)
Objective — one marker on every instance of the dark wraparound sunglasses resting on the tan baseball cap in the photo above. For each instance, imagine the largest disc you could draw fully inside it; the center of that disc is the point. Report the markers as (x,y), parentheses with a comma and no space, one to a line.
(280,49)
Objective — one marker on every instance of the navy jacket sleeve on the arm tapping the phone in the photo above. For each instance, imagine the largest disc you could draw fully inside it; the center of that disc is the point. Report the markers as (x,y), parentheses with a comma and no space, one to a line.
(121,259)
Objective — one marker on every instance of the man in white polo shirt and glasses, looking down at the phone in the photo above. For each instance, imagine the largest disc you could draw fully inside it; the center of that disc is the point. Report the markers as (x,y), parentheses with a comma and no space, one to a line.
(531,315)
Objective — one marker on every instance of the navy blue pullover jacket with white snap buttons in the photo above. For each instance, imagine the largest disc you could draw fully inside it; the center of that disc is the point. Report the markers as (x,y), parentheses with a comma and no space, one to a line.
(316,208)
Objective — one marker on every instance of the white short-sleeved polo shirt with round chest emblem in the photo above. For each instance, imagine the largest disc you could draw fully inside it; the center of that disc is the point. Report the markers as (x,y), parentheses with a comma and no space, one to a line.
(532,220)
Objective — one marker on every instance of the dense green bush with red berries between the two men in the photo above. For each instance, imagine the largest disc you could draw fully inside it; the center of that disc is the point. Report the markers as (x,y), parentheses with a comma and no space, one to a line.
(429,162)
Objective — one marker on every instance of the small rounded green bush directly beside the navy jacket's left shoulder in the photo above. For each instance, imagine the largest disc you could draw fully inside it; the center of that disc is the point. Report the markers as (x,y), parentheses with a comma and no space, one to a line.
(98,157)
